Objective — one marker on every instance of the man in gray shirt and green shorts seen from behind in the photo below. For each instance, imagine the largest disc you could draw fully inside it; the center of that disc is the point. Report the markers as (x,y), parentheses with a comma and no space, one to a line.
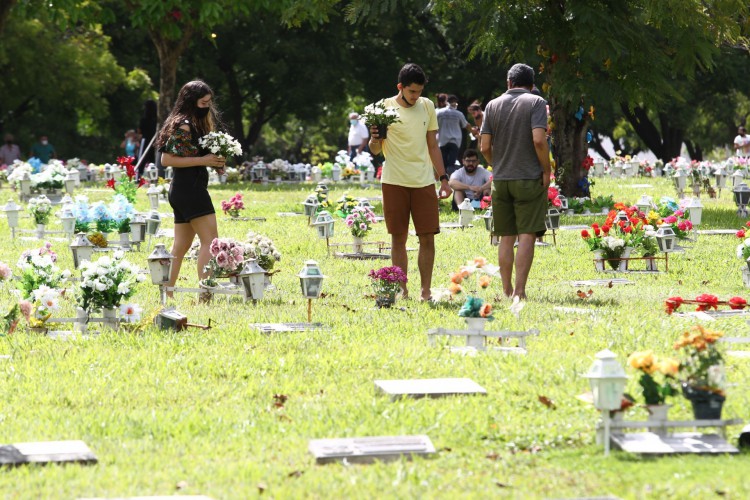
(514,141)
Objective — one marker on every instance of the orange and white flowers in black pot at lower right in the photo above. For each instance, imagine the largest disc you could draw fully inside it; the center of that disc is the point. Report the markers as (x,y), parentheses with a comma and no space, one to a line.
(702,371)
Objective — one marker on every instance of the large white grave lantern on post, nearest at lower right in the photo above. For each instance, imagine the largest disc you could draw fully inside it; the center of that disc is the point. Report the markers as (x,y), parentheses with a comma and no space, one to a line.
(607,379)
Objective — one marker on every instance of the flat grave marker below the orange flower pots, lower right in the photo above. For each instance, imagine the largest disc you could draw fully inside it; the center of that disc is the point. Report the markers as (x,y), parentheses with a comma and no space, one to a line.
(649,443)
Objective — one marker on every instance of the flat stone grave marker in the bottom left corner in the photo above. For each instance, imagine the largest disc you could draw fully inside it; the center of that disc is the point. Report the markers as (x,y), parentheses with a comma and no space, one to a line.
(46,452)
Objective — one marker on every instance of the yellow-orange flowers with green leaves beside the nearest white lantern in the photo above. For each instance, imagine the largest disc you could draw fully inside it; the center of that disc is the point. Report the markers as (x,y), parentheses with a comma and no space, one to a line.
(658,376)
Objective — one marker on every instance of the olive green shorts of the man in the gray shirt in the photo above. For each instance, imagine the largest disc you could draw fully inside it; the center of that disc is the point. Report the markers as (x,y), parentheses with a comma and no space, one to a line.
(519,207)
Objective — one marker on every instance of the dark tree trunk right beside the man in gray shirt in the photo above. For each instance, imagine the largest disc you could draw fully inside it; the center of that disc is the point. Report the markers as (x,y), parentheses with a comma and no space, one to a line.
(569,137)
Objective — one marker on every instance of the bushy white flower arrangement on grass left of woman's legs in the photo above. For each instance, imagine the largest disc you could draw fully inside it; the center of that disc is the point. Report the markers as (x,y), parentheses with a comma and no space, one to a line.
(106,282)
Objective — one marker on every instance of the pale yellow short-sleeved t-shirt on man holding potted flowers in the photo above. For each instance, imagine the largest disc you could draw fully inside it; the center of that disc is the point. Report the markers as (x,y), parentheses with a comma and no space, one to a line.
(407,158)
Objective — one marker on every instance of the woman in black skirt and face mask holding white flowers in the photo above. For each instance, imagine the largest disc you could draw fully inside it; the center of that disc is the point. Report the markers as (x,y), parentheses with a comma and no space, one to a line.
(192,117)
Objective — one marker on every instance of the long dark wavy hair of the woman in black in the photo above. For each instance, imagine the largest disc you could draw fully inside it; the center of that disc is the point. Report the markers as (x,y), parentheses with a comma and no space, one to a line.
(185,108)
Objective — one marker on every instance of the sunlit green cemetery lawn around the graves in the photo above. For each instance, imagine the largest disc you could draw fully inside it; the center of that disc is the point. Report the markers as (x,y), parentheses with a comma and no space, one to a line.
(228,412)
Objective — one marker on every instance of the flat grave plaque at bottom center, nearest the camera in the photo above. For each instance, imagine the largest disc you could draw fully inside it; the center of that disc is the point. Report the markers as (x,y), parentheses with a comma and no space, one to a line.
(369,449)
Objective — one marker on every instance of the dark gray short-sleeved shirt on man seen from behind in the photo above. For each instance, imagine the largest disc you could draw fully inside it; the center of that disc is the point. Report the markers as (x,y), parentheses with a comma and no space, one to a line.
(509,119)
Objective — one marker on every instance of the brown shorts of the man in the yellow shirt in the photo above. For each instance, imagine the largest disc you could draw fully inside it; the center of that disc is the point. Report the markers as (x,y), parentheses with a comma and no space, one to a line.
(422,203)
